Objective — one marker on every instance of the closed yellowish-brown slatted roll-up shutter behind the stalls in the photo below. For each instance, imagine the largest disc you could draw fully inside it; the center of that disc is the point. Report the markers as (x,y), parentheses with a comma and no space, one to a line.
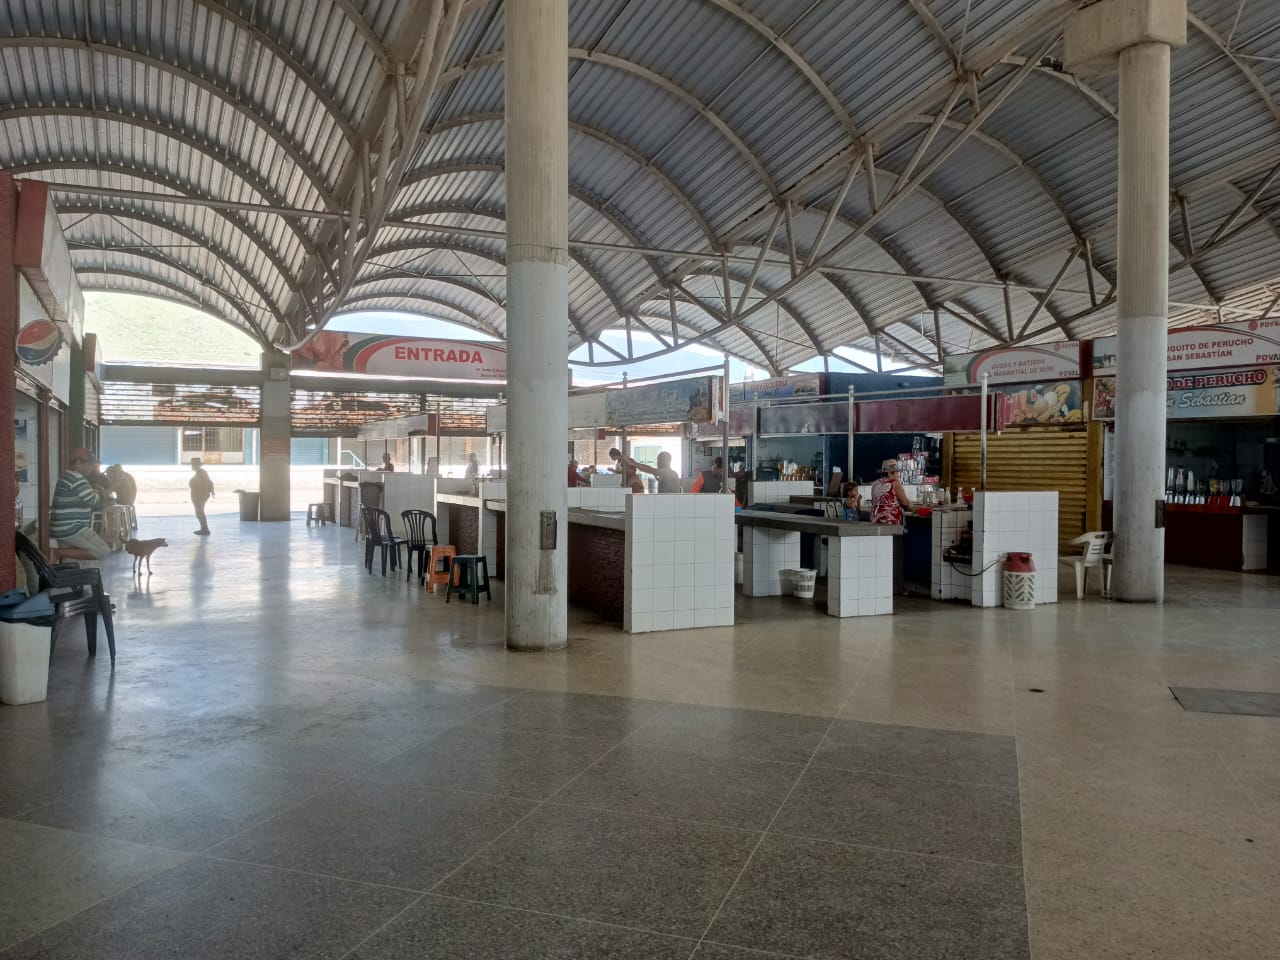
(1031,460)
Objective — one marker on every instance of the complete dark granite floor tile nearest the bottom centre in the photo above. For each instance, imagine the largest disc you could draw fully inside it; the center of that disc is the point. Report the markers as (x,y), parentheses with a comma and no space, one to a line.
(615,868)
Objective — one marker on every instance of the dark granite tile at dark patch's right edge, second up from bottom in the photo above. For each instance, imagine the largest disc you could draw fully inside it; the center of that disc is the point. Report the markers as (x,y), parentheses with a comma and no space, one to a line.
(966,821)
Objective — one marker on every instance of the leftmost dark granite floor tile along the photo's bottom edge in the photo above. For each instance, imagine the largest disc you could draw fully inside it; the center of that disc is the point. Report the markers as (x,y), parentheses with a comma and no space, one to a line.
(214,911)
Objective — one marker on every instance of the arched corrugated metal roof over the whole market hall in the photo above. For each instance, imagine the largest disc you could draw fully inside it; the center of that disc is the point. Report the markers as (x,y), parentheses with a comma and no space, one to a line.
(700,129)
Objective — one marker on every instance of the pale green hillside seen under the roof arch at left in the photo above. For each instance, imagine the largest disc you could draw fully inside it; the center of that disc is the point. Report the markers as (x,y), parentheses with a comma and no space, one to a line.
(144,330)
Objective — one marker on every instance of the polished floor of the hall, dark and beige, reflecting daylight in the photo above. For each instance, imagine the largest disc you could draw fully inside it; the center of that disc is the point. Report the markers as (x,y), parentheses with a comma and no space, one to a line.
(295,760)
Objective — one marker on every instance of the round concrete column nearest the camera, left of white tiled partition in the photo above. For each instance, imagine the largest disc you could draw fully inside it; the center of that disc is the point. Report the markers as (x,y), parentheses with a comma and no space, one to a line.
(537,95)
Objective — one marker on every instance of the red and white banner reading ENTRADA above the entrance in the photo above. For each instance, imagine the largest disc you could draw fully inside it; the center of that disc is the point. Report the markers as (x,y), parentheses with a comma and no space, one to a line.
(335,351)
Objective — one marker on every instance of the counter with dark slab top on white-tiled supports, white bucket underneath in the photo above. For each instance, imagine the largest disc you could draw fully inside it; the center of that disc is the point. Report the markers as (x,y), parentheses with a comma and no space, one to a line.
(860,561)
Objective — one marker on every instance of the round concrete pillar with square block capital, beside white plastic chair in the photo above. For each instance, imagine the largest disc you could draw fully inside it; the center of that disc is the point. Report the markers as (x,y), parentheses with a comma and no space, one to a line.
(1139,36)
